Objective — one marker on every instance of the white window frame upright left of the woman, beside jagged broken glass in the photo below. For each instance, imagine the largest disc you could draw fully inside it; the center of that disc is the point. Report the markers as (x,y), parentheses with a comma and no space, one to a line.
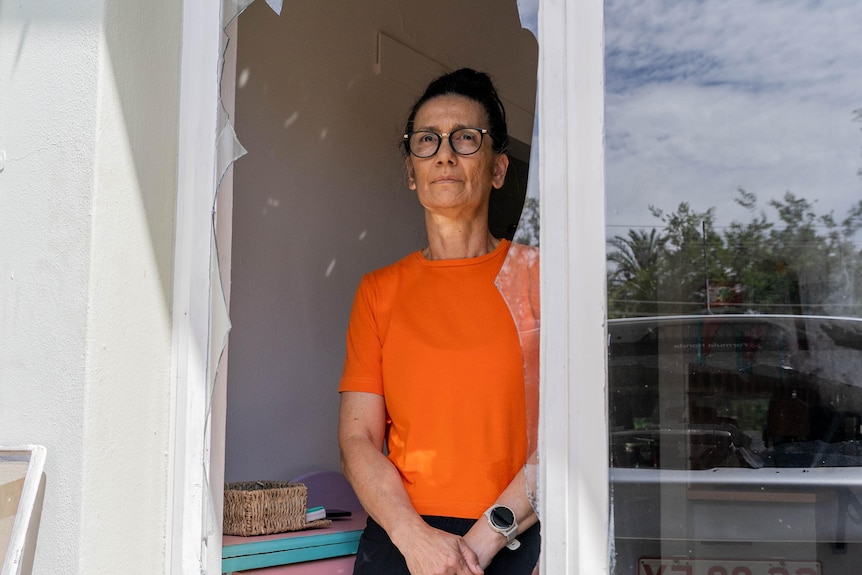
(186,551)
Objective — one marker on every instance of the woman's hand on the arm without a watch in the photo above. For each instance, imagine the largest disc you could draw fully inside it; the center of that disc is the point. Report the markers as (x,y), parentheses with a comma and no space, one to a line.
(430,551)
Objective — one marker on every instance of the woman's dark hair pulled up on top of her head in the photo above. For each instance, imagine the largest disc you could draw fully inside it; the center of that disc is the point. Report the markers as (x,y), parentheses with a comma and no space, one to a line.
(476,86)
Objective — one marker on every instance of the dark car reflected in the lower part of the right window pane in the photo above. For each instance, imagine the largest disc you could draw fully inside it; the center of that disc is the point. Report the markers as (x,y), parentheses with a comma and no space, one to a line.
(736,440)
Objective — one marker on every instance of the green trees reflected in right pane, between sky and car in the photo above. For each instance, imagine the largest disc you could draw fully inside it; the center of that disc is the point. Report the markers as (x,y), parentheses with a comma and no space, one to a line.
(802,262)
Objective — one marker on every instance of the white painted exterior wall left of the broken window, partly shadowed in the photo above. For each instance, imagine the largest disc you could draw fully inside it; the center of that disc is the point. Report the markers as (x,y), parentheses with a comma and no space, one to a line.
(89,93)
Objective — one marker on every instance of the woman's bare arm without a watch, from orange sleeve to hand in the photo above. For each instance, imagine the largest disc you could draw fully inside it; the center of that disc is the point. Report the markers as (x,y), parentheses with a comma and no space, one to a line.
(428,551)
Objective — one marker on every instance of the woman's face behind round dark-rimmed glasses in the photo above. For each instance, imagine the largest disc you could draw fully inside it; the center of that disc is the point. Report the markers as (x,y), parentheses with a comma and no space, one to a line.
(447,182)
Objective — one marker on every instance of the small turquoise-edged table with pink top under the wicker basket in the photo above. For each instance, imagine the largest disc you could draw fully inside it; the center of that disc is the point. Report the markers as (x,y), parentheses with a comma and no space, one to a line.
(338,540)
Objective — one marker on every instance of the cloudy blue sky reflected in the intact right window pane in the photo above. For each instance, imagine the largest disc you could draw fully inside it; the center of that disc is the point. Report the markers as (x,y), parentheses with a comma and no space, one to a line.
(705,96)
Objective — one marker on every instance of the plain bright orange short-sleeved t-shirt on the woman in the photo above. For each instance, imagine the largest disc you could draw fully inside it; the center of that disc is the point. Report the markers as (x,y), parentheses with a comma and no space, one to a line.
(437,340)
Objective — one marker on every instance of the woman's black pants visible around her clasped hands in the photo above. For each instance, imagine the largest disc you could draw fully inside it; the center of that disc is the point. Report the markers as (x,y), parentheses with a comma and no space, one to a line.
(377,555)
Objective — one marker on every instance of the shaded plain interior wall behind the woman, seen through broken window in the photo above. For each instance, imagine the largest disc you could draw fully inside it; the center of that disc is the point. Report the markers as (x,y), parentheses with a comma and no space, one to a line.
(321,197)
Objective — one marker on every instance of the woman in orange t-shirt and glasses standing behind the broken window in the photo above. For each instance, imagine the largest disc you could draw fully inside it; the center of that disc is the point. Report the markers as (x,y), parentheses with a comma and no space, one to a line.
(434,372)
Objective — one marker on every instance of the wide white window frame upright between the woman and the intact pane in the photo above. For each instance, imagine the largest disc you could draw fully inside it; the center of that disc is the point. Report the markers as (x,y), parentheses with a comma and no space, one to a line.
(573,472)
